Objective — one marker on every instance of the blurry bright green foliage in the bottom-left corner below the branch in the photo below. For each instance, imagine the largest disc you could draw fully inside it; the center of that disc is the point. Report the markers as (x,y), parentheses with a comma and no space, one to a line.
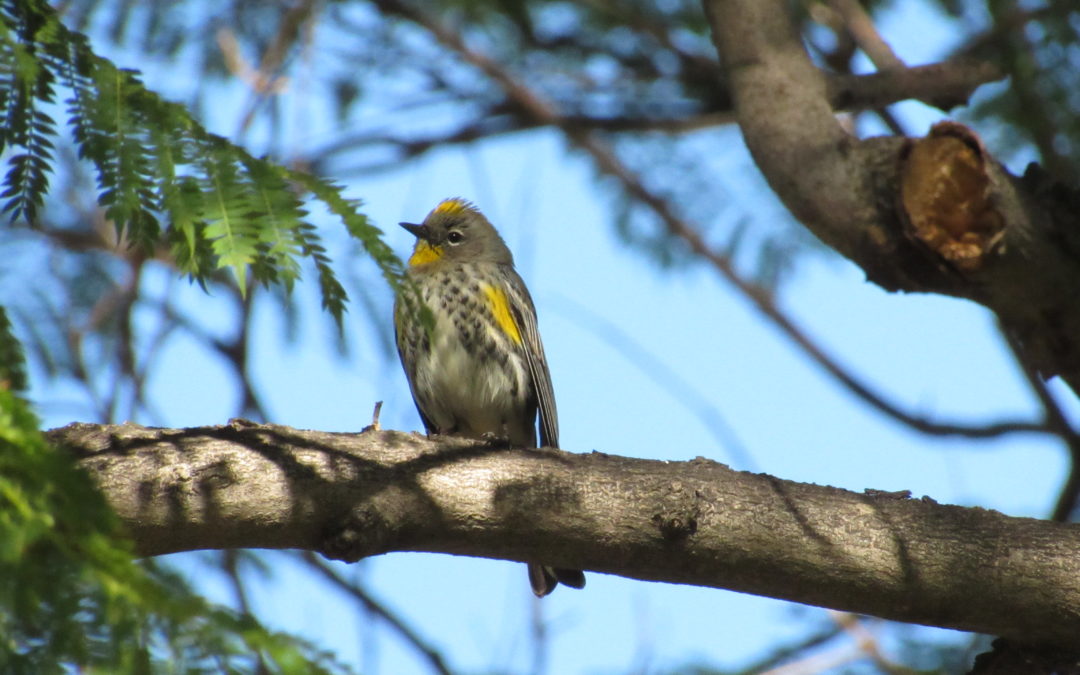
(71,593)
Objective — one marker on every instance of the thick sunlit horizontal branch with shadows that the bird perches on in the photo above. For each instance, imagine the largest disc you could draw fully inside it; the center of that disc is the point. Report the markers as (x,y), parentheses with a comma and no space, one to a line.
(700,523)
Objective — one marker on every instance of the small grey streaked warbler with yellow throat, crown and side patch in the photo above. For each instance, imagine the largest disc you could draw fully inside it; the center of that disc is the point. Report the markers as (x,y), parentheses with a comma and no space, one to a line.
(479,368)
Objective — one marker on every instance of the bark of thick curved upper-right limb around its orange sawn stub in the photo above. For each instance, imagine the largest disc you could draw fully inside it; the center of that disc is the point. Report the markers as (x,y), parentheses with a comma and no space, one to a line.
(848,192)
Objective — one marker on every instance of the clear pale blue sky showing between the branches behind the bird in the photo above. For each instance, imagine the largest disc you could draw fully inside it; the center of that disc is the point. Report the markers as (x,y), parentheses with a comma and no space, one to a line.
(939,357)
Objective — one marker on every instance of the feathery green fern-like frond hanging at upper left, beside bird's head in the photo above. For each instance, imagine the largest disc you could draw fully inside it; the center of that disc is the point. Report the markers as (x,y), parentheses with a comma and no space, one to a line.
(163,179)
